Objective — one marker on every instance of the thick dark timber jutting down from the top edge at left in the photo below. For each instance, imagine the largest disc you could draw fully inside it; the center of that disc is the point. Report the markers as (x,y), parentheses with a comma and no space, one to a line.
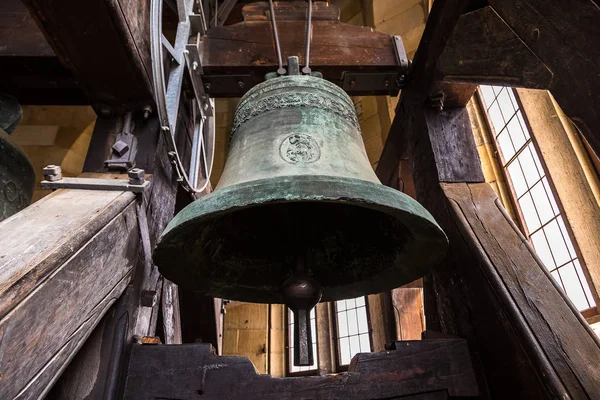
(105,44)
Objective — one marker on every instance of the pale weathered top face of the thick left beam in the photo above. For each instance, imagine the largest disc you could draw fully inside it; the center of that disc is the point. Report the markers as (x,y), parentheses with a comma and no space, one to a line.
(28,259)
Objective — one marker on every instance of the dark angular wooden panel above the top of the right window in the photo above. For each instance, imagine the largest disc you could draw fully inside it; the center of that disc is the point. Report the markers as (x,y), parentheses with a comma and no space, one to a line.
(484,50)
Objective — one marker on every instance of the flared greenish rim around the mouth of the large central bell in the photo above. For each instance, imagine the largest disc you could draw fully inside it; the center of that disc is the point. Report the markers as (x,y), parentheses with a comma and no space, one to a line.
(429,242)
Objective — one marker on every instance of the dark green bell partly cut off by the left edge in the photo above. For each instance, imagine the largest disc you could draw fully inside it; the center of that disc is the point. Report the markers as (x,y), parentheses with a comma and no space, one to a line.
(17,177)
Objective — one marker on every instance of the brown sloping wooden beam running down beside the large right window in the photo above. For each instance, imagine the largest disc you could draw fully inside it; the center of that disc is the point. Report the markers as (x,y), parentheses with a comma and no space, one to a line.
(542,315)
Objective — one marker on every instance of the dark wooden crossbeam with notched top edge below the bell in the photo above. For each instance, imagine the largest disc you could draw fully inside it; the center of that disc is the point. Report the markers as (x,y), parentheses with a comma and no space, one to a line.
(412,368)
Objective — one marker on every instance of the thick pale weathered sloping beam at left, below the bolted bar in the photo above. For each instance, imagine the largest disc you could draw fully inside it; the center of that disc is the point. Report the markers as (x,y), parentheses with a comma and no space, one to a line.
(64,261)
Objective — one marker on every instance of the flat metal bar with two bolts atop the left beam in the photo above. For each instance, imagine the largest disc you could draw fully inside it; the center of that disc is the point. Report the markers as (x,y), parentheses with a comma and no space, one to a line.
(55,180)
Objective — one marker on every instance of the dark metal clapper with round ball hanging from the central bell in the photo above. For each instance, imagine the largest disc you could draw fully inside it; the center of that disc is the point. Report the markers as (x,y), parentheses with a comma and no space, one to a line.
(301,293)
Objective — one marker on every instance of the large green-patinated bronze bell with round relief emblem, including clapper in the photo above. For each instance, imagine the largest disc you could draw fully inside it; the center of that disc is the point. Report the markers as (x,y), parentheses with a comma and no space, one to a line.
(298,211)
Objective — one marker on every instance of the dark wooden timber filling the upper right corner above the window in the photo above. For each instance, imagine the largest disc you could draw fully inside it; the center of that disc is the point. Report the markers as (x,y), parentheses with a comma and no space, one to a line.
(565,36)
